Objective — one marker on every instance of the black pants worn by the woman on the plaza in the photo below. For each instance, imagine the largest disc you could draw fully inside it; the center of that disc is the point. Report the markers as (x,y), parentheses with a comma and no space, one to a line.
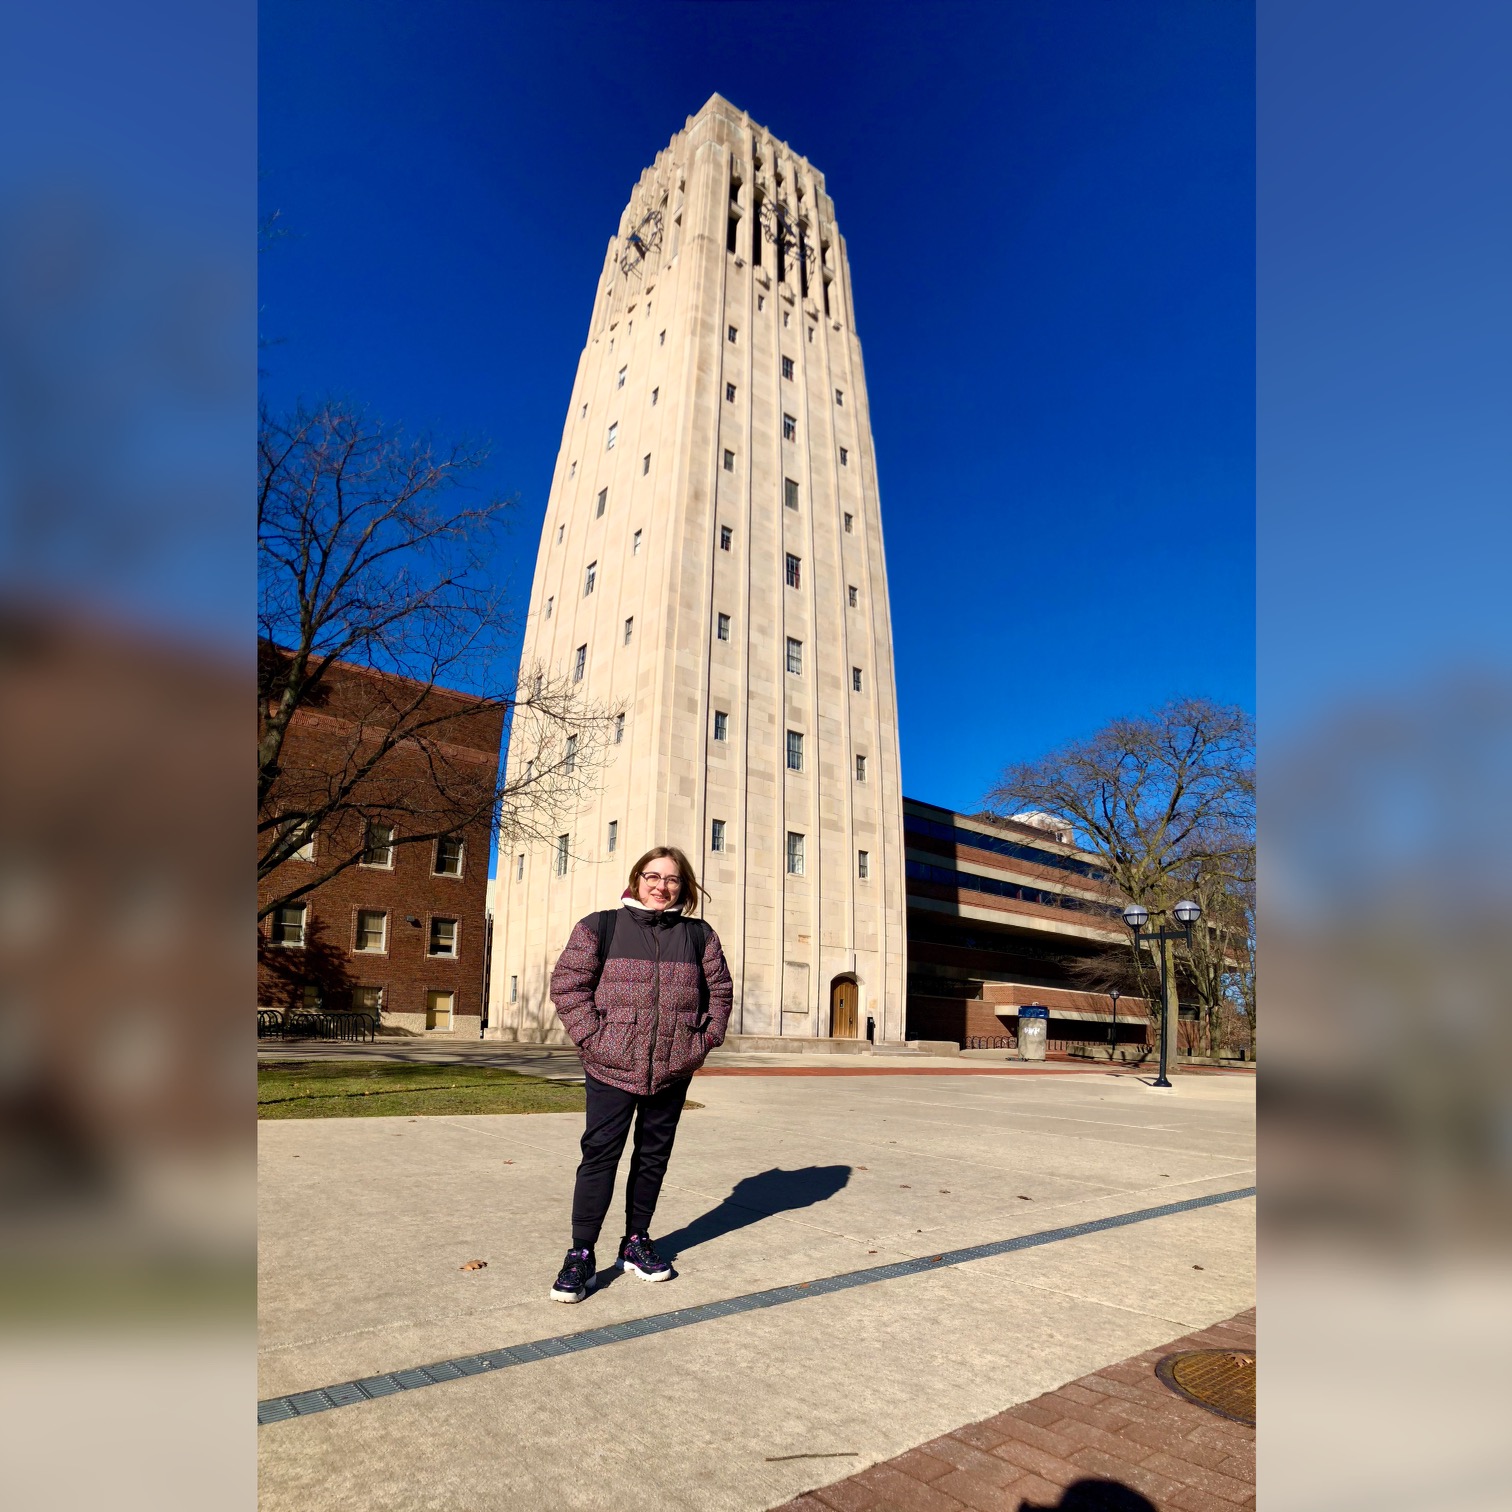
(610,1115)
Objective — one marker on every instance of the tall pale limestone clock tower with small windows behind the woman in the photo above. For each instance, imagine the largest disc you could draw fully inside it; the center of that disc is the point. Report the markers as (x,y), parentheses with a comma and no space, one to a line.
(717,476)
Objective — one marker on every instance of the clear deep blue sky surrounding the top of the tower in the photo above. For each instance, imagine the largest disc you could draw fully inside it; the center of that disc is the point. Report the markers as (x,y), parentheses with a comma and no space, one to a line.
(1050,218)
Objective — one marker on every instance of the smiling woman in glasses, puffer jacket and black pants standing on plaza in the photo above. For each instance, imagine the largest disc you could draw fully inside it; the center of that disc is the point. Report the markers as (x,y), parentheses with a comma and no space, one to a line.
(645,994)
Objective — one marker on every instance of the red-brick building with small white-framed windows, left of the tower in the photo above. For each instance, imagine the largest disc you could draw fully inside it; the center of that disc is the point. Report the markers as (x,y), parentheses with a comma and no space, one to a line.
(404,932)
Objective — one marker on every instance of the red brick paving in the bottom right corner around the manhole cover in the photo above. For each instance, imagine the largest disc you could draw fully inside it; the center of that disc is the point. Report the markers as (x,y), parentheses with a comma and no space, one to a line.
(1114,1442)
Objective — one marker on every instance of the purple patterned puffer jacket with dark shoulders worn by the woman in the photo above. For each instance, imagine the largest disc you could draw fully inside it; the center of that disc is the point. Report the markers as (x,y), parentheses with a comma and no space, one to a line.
(648,1023)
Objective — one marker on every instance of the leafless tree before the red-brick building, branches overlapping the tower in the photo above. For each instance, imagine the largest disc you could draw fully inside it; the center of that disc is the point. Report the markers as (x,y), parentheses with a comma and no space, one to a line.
(374,560)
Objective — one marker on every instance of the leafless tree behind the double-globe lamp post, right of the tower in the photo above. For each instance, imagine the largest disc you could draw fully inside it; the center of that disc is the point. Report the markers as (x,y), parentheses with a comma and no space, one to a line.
(1168,804)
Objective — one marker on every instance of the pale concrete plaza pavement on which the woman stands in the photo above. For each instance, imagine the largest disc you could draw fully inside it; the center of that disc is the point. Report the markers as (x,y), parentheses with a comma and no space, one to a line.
(776,1180)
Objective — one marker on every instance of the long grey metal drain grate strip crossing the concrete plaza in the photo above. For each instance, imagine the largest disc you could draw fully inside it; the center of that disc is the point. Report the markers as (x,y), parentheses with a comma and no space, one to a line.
(350,1393)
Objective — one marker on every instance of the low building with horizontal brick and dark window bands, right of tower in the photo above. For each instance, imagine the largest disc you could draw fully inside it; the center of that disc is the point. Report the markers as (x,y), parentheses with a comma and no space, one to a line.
(999,912)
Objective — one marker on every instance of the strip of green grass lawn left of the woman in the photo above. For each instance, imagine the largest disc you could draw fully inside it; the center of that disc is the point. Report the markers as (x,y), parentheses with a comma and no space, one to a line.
(365,1089)
